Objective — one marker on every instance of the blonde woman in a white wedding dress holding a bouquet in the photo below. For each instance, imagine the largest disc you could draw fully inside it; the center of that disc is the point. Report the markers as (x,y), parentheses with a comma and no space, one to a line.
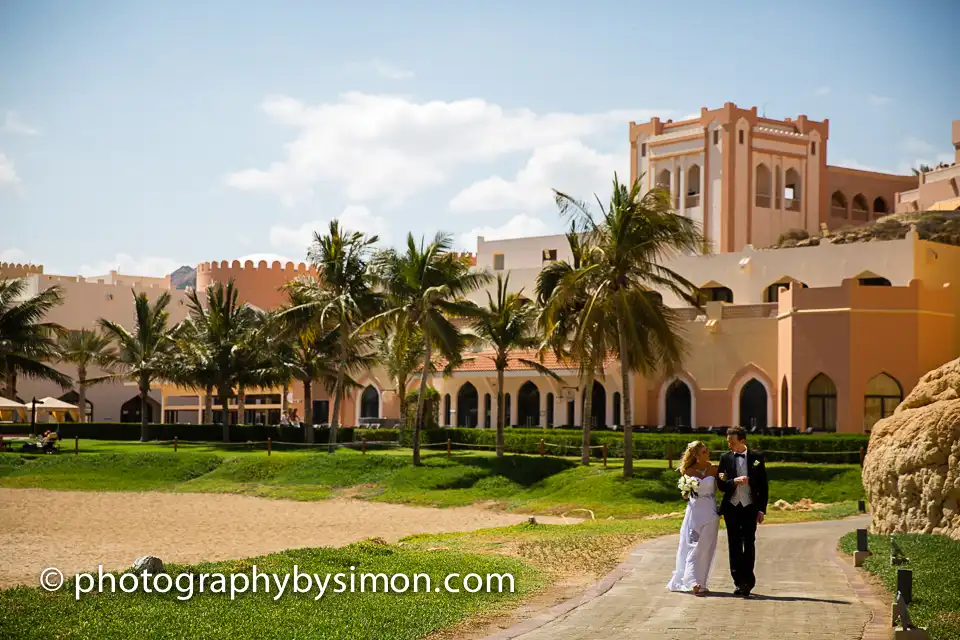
(698,534)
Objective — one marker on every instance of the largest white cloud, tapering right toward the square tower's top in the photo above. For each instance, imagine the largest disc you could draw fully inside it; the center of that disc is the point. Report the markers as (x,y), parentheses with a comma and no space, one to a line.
(378,147)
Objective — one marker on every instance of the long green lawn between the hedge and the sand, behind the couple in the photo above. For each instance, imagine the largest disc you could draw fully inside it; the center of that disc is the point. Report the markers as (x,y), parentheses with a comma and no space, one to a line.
(522,483)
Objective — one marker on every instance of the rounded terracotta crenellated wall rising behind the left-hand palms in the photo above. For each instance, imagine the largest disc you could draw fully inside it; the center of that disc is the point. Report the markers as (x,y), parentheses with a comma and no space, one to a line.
(257,284)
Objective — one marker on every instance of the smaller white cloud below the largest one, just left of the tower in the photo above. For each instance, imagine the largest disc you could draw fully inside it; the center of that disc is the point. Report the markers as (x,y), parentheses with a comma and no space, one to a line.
(569,166)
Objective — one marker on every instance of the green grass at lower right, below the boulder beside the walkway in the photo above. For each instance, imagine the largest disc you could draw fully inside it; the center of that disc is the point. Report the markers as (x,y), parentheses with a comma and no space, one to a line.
(935,561)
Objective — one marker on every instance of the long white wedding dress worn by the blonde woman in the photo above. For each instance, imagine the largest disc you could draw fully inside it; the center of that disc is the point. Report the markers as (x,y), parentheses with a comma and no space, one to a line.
(698,539)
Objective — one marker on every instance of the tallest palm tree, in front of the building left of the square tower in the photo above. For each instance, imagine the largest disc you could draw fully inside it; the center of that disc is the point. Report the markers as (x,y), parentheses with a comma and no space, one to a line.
(635,233)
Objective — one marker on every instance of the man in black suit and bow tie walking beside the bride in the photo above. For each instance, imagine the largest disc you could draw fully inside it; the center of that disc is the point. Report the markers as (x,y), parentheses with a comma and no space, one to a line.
(743,478)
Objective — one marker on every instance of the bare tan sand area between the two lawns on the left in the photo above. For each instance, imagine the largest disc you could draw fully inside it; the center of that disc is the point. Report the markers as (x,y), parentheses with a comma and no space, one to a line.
(76,531)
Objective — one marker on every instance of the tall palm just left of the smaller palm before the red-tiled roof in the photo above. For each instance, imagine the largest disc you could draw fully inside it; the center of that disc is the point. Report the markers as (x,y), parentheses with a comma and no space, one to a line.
(427,285)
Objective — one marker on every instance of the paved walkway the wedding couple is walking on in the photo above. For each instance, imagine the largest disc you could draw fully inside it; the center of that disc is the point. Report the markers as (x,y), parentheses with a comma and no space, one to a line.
(802,593)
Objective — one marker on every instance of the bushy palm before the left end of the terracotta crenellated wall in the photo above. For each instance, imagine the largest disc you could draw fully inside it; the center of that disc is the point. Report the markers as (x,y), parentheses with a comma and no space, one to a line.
(222,323)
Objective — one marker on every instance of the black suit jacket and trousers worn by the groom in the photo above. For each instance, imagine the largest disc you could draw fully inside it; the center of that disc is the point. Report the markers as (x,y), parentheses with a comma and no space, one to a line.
(741,520)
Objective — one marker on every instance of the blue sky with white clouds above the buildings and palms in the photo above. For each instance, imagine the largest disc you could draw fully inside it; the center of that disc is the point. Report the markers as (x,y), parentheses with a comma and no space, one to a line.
(150,135)
